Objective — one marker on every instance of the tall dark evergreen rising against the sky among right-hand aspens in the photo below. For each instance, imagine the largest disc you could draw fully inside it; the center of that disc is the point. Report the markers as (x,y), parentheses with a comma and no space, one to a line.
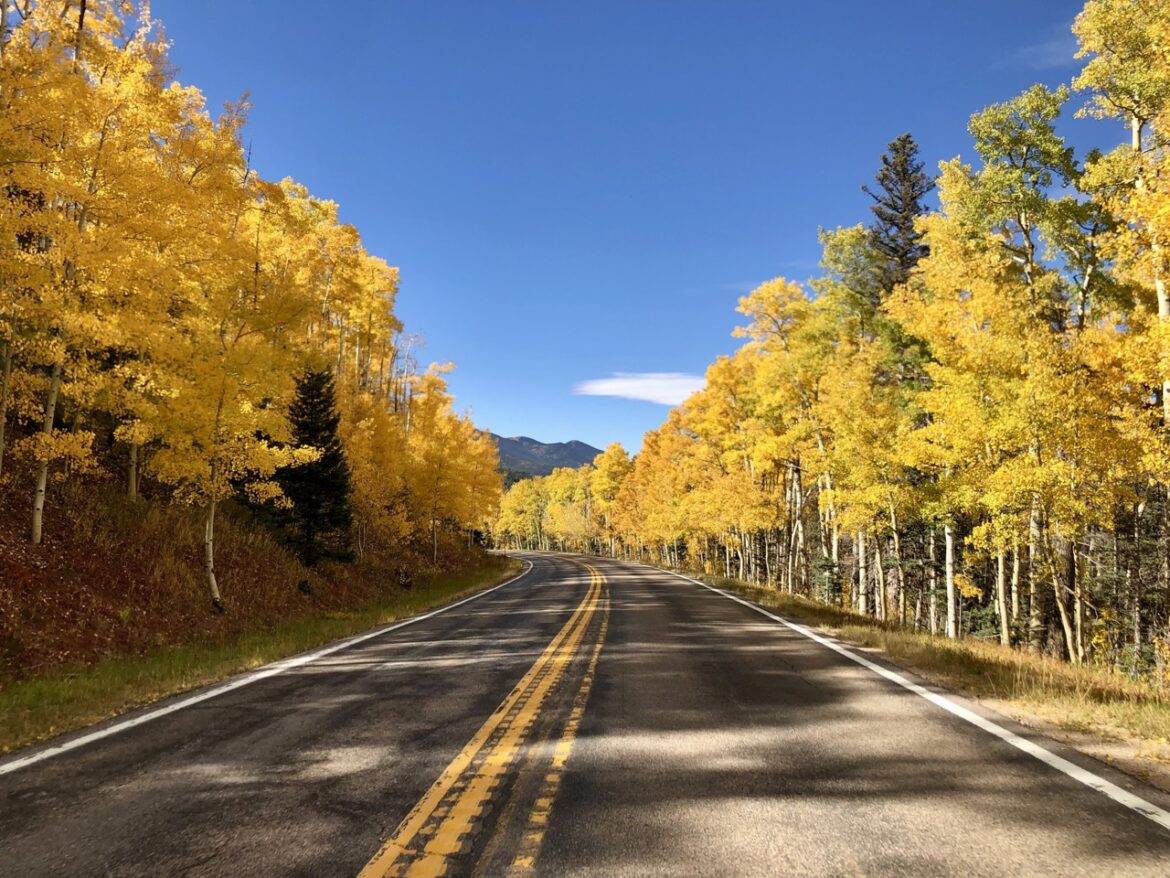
(898,204)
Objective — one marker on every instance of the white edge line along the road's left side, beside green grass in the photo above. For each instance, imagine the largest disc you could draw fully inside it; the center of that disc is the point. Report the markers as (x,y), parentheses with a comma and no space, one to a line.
(263,674)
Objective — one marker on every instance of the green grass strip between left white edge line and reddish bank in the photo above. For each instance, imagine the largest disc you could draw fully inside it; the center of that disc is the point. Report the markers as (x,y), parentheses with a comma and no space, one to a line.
(67,699)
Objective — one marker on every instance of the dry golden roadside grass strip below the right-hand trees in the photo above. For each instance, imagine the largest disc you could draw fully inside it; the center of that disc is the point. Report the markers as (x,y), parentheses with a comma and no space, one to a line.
(1090,698)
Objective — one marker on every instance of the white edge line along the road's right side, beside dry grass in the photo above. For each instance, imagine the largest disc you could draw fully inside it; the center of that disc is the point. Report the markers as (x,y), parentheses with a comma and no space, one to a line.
(1119,795)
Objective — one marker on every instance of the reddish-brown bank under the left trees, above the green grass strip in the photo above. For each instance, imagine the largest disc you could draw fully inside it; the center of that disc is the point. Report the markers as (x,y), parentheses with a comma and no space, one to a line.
(115,578)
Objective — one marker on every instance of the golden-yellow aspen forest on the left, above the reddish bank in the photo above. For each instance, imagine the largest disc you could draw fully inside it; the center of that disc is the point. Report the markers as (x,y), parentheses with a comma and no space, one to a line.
(177,326)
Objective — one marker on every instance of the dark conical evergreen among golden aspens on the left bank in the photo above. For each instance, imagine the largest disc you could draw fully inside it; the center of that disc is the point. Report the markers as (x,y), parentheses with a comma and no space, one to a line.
(319,523)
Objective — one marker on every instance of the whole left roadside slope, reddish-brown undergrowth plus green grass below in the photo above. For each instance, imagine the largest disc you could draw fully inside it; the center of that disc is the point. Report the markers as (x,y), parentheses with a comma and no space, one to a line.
(112,611)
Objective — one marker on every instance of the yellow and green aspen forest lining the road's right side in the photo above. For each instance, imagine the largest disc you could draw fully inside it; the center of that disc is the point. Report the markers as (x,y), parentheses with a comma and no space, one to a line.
(961,426)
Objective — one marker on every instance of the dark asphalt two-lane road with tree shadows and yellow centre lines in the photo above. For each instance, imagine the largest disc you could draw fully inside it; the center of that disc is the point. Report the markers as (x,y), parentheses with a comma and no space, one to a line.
(589,718)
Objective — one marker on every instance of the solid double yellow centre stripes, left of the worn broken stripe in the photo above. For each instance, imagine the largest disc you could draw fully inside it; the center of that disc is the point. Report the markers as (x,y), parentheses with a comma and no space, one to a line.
(435,829)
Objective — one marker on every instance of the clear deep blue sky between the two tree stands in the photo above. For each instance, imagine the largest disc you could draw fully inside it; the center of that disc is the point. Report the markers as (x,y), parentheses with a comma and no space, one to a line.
(575,190)
